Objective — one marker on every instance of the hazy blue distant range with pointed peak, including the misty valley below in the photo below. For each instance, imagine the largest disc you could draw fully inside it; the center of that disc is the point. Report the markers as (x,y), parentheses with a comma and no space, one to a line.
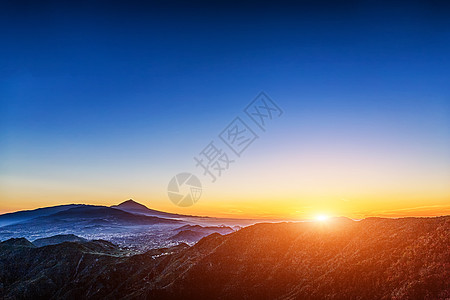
(129,224)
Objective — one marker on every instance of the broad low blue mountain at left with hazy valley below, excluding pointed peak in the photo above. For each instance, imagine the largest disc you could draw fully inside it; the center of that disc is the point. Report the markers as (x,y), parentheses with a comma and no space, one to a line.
(136,231)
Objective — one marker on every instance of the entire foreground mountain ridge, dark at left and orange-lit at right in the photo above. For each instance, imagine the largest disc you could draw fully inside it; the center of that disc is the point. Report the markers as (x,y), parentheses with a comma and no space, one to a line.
(340,259)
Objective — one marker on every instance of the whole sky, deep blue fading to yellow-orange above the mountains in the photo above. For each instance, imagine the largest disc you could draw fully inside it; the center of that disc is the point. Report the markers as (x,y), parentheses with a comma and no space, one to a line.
(102,101)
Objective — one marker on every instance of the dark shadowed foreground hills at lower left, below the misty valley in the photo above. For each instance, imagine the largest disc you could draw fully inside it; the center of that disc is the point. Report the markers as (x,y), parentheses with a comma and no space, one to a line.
(73,270)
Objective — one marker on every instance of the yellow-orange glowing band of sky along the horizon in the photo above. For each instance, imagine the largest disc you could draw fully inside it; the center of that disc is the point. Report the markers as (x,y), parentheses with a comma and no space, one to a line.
(256,199)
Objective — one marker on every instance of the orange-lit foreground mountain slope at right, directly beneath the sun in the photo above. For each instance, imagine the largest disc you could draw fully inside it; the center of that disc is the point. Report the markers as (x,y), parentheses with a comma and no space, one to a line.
(371,259)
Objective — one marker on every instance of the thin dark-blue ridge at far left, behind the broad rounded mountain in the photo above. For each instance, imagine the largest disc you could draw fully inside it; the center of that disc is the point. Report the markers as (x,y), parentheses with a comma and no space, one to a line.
(21,216)
